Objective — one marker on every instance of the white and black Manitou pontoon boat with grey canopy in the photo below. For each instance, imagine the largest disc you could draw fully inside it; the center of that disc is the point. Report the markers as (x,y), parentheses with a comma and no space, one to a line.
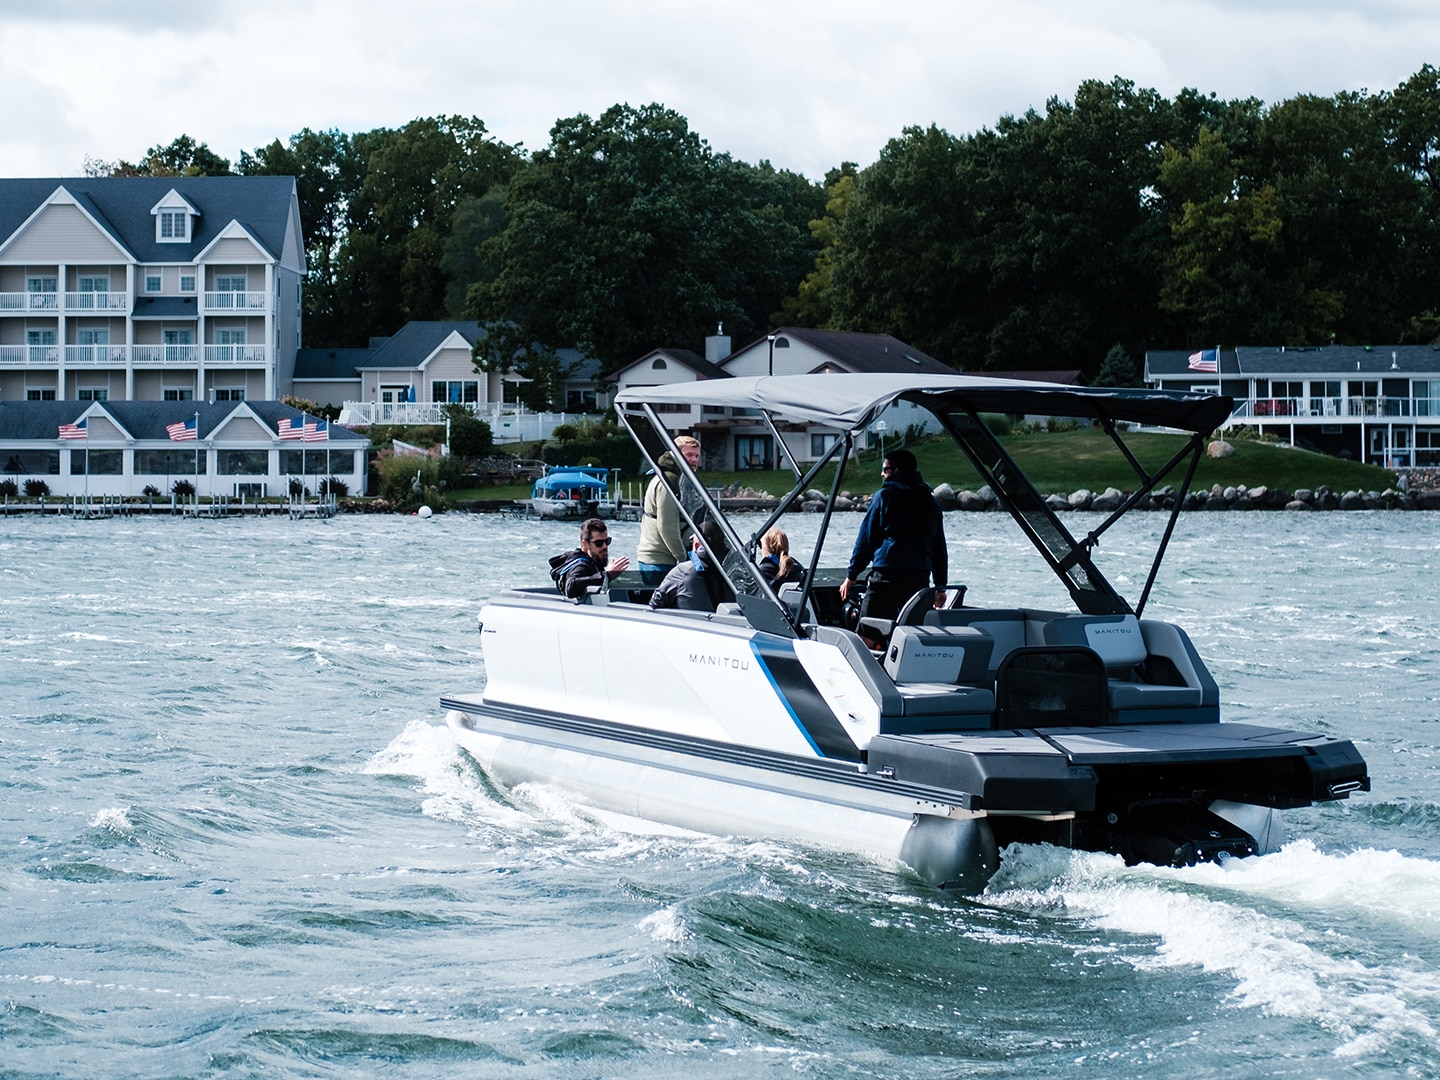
(971,729)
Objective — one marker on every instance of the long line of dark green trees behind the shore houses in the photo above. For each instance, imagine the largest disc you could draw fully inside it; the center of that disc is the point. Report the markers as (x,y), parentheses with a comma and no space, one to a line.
(1075,237)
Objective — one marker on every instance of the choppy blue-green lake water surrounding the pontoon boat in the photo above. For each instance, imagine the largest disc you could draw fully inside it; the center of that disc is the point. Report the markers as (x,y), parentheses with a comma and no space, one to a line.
(237,840)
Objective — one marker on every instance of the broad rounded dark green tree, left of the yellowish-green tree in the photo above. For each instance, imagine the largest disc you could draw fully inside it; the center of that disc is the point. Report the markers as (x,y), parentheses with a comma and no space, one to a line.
(629,233)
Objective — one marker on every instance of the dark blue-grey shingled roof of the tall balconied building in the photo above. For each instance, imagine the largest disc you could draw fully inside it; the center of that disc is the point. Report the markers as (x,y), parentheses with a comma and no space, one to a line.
(123,205)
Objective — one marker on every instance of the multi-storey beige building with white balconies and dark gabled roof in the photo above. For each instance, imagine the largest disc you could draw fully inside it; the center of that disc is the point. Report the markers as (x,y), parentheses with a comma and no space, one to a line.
(149,289)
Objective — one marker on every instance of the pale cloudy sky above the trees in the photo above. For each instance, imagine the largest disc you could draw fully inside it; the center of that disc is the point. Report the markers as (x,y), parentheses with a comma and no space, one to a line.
(806,84)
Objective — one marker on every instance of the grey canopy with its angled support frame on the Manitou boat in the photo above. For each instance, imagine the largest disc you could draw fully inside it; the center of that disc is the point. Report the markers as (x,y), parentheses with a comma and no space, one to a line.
(853,402)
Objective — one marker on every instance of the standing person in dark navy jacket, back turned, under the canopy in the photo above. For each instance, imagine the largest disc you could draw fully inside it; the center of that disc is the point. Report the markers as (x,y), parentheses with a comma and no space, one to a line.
(904,538)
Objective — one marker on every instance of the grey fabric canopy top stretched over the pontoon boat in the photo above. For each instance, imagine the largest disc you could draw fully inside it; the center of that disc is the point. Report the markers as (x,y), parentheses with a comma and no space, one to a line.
(853,402)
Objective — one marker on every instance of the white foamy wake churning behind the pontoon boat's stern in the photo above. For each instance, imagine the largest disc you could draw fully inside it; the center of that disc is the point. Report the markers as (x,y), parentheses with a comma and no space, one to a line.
(1288,928)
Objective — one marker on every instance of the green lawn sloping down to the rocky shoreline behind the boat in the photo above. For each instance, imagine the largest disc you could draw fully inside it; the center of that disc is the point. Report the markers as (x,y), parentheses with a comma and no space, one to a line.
(1068,462)
